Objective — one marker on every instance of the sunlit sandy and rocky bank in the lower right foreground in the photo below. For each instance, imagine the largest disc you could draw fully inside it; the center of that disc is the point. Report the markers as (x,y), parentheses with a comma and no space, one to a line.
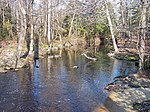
(131,93)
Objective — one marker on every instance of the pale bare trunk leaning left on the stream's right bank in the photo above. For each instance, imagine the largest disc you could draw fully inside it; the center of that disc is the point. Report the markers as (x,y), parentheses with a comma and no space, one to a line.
(111,28)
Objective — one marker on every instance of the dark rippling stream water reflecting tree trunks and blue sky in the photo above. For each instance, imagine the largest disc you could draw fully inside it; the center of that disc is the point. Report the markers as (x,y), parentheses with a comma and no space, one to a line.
(55,86)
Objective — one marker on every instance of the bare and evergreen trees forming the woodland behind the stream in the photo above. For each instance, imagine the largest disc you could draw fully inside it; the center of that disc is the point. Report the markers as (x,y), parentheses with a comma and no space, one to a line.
(60,19)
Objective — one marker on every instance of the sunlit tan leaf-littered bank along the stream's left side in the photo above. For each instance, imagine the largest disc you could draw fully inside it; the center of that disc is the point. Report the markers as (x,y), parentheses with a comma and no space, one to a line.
(8,52)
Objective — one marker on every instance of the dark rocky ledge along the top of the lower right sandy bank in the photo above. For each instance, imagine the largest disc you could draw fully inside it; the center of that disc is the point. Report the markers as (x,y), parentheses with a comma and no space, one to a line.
(125,82)
